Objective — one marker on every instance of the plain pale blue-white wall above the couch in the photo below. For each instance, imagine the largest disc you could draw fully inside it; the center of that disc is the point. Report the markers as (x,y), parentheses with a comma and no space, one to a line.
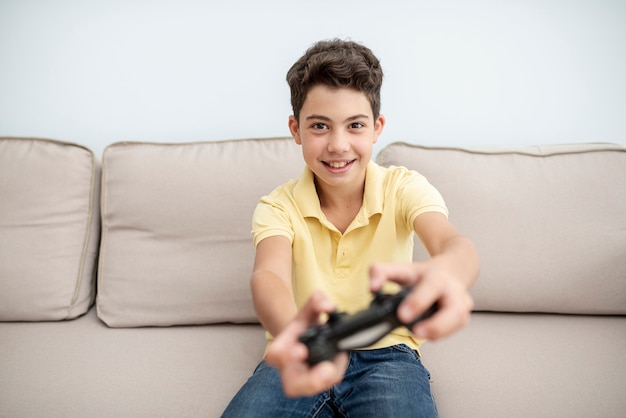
(509,72)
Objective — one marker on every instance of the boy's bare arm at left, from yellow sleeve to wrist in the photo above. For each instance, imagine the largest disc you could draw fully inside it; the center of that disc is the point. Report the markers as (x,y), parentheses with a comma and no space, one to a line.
(272,291)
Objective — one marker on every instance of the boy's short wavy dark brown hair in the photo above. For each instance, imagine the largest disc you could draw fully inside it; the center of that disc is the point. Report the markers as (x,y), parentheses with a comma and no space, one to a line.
(336,63)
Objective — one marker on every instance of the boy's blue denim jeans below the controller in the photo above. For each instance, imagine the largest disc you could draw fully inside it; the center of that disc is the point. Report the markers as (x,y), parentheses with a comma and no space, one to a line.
(388,382)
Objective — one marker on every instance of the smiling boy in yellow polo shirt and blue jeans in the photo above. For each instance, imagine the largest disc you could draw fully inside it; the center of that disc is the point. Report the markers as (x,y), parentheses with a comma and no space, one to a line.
(342,230)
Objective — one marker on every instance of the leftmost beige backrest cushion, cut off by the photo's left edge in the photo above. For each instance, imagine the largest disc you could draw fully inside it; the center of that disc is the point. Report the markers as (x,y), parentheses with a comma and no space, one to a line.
(49,229)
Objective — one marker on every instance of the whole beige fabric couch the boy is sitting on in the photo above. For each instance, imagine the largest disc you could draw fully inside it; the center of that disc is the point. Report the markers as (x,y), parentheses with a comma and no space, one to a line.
(172,333)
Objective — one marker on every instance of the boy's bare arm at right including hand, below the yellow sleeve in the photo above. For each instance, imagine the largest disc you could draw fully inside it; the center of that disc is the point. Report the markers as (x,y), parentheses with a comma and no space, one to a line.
(445,278)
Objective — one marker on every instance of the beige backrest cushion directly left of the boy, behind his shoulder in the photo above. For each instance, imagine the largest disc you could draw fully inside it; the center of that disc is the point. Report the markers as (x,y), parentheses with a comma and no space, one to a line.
(176,243)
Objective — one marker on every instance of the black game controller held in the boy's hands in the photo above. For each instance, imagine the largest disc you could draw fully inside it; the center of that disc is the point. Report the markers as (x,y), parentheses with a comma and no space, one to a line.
(343,332)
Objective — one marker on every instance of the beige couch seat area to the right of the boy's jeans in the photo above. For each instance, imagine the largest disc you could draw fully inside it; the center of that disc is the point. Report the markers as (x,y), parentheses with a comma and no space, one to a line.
(531,365)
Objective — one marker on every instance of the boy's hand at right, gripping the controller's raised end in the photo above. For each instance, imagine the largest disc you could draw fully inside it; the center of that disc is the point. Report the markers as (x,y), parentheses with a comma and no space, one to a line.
(432,282)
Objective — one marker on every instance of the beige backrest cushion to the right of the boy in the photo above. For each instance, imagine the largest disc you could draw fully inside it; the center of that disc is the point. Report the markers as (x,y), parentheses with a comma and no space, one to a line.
(549,222)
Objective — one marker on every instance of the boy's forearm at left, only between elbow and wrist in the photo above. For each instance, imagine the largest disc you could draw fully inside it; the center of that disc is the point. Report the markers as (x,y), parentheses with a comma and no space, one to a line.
(273,301)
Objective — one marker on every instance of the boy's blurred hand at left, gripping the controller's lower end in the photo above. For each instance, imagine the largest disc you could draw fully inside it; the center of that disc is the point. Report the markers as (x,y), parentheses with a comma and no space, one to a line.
(289,355)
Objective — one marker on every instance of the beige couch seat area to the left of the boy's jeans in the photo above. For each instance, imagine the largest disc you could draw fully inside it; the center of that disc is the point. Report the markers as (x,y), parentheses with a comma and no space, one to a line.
(82,368)
